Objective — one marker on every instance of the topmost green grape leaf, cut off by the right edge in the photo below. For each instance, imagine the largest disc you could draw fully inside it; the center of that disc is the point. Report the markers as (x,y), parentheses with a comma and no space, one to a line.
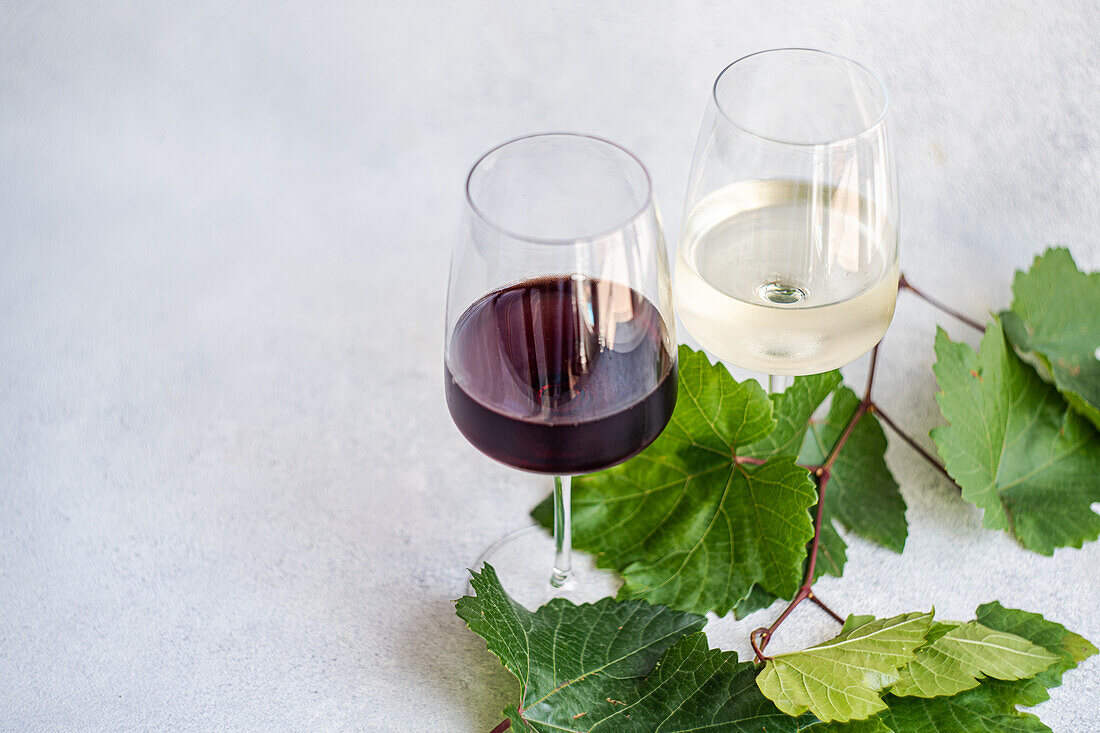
(1055,323)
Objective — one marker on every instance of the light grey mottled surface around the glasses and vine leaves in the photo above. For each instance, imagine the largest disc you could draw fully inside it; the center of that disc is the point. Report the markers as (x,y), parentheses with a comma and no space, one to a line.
(230,494)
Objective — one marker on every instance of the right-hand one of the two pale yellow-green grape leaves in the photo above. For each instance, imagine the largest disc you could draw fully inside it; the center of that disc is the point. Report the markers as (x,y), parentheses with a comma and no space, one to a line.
(958,660)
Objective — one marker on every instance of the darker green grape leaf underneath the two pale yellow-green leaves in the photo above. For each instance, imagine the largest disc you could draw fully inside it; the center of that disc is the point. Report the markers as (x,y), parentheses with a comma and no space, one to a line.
(992,706)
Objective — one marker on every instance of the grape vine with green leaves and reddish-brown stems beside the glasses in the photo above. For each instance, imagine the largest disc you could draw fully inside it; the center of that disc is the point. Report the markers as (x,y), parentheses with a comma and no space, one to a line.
(735,507)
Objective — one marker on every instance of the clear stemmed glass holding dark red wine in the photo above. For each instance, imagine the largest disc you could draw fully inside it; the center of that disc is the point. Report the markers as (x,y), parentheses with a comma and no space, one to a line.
(560,353)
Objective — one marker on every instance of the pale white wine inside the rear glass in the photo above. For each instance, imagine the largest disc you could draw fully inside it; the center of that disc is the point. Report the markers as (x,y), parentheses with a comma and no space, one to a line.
(780,278)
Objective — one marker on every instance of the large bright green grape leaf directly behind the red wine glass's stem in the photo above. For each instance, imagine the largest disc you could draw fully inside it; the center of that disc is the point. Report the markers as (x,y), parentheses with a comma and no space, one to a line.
(685,522)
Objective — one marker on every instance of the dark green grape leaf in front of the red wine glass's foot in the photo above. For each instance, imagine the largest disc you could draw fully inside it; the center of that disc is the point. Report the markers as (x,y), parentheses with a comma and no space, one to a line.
(617,666)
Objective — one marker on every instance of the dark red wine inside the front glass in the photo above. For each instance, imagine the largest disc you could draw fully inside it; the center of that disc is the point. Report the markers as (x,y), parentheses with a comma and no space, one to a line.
(562,375)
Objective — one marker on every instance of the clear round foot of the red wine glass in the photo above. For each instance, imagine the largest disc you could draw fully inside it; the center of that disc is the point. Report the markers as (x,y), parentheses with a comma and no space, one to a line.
(524,563)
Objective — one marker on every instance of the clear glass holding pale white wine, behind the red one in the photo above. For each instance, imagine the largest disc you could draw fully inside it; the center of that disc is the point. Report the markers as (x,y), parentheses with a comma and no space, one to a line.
(788,256)
